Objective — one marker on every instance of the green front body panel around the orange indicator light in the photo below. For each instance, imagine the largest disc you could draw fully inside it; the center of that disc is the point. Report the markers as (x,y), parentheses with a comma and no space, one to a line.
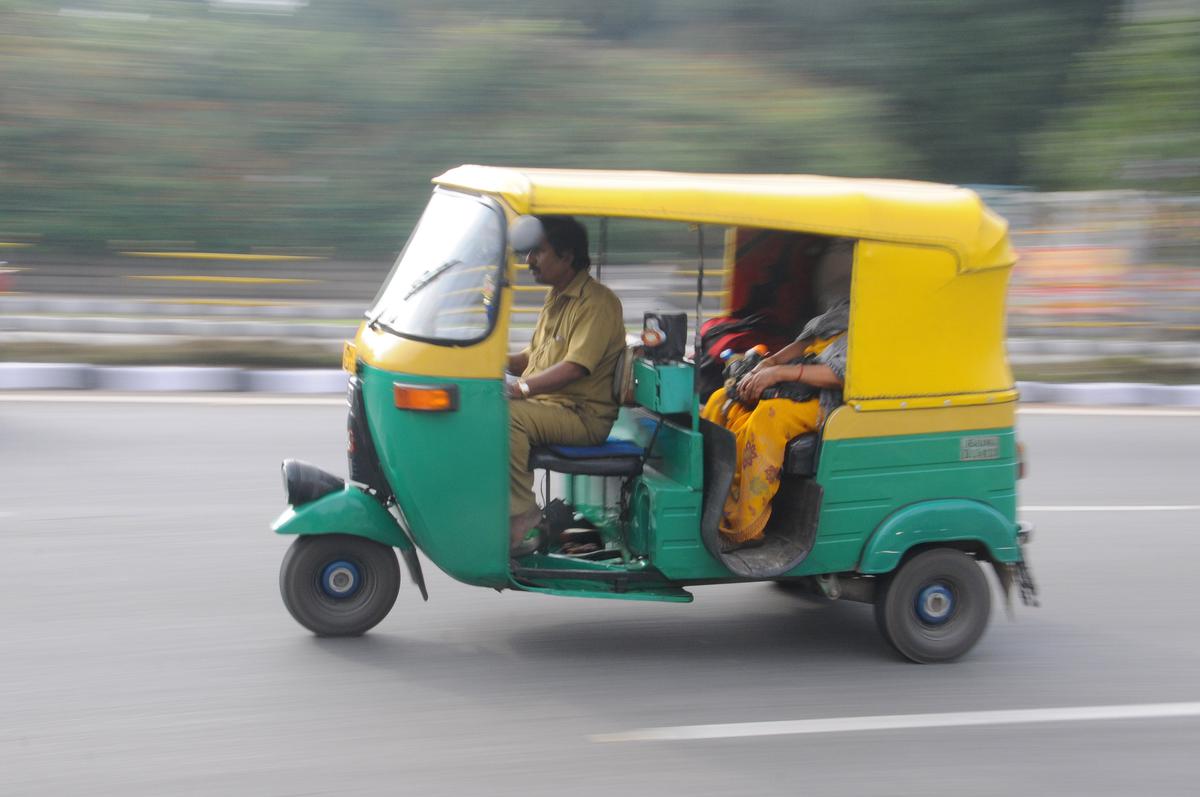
(449,471)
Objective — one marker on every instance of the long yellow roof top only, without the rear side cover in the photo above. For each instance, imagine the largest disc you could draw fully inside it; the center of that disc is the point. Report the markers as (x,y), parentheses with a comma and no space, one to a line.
(902,212)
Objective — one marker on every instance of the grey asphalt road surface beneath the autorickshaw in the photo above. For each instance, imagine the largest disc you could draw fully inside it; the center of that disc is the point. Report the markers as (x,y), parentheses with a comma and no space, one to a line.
(146,650)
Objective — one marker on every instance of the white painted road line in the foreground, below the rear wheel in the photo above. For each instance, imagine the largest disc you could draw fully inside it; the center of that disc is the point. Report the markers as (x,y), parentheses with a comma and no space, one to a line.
(904,722)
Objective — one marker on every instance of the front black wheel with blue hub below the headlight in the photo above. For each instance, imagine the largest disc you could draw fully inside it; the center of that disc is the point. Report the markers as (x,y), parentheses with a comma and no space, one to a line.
(338,585)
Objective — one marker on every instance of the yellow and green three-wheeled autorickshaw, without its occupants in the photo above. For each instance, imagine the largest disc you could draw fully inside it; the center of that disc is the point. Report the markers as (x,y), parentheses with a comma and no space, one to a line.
(904,498)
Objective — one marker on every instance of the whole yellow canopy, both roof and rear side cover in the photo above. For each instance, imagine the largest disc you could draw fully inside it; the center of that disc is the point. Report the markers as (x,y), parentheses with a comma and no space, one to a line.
(932,265)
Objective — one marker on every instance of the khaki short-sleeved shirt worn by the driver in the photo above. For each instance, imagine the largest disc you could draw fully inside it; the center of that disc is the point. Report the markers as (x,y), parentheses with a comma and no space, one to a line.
(581,325)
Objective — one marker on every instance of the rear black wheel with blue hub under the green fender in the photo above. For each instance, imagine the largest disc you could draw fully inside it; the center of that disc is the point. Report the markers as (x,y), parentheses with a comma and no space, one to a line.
(935,608)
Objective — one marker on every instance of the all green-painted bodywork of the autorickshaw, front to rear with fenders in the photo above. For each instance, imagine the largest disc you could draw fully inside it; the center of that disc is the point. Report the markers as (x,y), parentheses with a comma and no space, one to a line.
(451,476)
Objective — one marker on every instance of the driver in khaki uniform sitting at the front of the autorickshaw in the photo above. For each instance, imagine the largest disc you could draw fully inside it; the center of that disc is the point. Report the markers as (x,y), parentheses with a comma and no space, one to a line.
(565,393)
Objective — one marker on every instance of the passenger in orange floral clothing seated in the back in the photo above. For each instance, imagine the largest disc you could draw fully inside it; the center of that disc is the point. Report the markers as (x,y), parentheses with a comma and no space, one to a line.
(764,428)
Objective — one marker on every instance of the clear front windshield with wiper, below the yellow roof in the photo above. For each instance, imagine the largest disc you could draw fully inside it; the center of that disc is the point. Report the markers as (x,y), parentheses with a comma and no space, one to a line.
(443,287)
